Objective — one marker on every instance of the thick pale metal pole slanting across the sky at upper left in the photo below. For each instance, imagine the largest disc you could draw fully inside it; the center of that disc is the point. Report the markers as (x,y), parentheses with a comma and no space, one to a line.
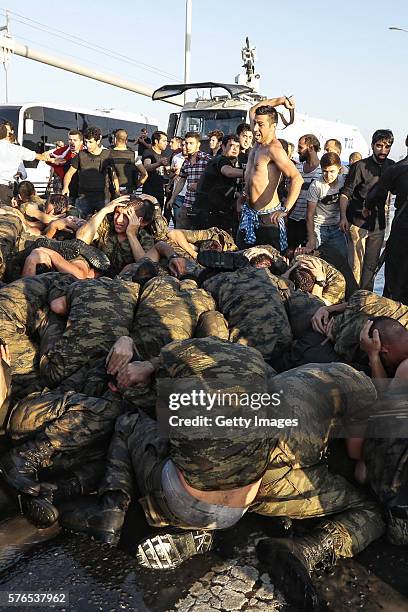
(38,56)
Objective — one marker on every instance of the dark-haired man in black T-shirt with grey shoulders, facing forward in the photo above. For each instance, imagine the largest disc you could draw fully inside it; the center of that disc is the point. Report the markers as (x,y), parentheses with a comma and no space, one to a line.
(92,166)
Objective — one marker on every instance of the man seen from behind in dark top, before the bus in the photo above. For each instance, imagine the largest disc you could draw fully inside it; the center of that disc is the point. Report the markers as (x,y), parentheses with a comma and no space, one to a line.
(131,173)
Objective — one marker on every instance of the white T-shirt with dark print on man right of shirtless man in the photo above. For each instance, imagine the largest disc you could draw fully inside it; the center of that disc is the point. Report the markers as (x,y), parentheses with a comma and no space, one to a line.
(327,198)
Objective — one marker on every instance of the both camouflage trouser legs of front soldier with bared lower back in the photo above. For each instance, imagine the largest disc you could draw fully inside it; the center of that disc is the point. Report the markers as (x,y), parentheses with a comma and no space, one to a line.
(137,455)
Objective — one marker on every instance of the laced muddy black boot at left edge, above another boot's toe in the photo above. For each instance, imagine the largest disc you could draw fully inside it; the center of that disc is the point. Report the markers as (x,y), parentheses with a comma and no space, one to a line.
(19,466)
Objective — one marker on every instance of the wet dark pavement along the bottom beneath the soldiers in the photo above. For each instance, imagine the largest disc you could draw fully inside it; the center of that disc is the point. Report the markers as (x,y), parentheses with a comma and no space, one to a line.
(102,578)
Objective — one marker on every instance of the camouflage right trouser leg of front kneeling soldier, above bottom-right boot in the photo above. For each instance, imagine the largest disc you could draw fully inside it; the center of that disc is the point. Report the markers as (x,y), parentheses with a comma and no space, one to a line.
(312,491)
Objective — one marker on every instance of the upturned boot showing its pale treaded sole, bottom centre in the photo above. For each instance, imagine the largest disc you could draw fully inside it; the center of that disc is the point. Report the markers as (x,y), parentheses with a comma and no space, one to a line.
(169,550)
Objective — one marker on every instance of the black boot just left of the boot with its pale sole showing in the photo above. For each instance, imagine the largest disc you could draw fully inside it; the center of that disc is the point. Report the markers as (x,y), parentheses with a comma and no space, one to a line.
(102,521)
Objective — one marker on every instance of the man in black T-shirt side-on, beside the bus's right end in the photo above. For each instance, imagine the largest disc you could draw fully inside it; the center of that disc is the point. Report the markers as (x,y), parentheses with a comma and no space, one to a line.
(155,164)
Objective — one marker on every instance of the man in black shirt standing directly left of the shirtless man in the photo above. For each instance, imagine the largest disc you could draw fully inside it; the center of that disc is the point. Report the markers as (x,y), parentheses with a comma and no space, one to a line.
(216,188)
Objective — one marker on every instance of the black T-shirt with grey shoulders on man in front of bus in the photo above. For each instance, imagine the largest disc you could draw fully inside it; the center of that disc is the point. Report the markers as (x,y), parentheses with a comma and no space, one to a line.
(92,170)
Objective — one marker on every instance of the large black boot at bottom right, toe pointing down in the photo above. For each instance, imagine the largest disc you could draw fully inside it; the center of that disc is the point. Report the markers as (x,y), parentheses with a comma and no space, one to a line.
(291,562)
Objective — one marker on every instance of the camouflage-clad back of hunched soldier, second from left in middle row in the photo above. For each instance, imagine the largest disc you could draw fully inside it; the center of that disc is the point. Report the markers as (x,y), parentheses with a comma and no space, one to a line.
(100,311)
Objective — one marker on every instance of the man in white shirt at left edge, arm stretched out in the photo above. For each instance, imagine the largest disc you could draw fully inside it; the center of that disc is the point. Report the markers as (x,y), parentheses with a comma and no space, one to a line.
(11,157)
